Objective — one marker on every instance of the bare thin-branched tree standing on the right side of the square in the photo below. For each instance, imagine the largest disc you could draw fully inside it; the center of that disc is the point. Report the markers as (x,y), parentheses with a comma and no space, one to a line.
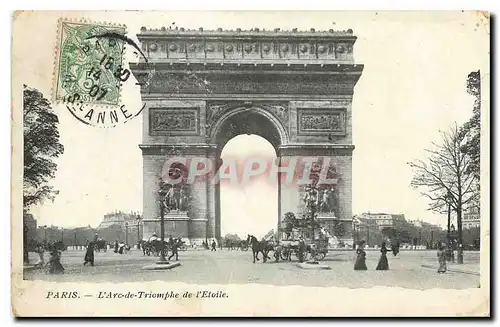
(445,178)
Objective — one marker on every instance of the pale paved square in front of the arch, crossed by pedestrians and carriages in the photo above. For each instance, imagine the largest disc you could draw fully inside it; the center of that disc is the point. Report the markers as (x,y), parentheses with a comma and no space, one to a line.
(223,267)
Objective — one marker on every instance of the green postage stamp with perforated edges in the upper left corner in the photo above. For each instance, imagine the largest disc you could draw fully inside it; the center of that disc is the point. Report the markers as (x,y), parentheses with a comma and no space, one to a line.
(89,63)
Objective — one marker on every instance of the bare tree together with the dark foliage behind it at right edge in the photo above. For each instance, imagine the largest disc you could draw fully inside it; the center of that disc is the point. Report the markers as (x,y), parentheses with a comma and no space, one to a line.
(450,175)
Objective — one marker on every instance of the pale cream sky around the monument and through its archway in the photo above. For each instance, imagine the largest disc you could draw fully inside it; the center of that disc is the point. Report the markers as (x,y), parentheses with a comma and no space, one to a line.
(413,85)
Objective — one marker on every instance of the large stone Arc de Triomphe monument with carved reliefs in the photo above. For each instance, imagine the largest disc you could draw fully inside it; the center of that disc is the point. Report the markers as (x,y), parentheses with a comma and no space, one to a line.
(202,88)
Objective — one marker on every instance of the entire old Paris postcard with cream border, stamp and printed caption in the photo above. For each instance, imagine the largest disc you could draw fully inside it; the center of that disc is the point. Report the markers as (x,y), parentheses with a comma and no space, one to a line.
(250,164)
